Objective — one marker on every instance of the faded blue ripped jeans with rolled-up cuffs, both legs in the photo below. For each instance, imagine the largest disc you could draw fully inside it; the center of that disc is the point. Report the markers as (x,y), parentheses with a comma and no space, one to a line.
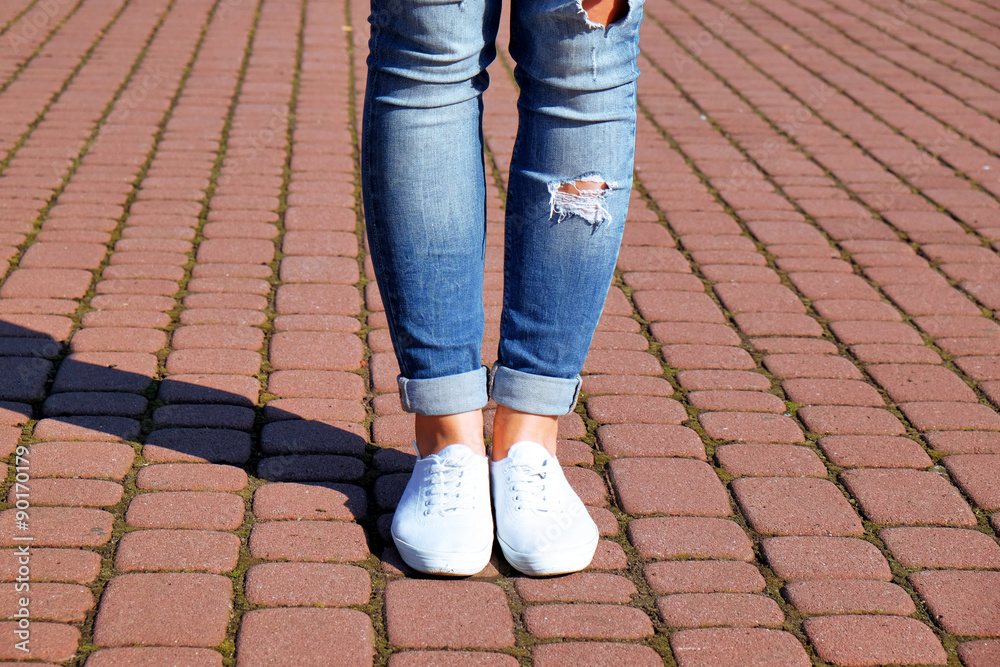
(424,193)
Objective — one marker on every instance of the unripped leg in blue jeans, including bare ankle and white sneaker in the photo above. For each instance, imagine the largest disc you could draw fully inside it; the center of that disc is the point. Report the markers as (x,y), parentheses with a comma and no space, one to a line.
(424,194)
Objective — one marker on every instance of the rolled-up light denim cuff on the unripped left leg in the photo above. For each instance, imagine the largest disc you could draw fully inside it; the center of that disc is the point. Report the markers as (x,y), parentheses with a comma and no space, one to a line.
(448,395)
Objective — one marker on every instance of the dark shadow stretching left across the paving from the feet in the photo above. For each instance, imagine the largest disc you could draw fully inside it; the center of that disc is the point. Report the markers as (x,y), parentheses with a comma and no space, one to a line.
(87,397)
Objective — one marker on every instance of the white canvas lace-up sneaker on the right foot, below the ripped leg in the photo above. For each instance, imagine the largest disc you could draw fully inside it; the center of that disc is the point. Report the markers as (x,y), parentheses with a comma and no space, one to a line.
(542,525)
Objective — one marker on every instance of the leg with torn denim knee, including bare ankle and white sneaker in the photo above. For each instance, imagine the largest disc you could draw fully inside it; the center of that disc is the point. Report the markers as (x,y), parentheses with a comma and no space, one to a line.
(570,178)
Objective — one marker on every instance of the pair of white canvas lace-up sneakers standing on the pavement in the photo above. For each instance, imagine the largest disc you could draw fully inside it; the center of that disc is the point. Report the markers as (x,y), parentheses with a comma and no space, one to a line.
(443,523)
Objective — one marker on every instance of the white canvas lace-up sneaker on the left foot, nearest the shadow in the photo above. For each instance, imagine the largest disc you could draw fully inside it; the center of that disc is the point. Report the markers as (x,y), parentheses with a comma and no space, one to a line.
(443,523)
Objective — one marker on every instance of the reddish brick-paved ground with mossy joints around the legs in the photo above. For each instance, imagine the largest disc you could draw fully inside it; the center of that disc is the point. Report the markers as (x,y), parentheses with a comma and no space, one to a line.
(789,435)
